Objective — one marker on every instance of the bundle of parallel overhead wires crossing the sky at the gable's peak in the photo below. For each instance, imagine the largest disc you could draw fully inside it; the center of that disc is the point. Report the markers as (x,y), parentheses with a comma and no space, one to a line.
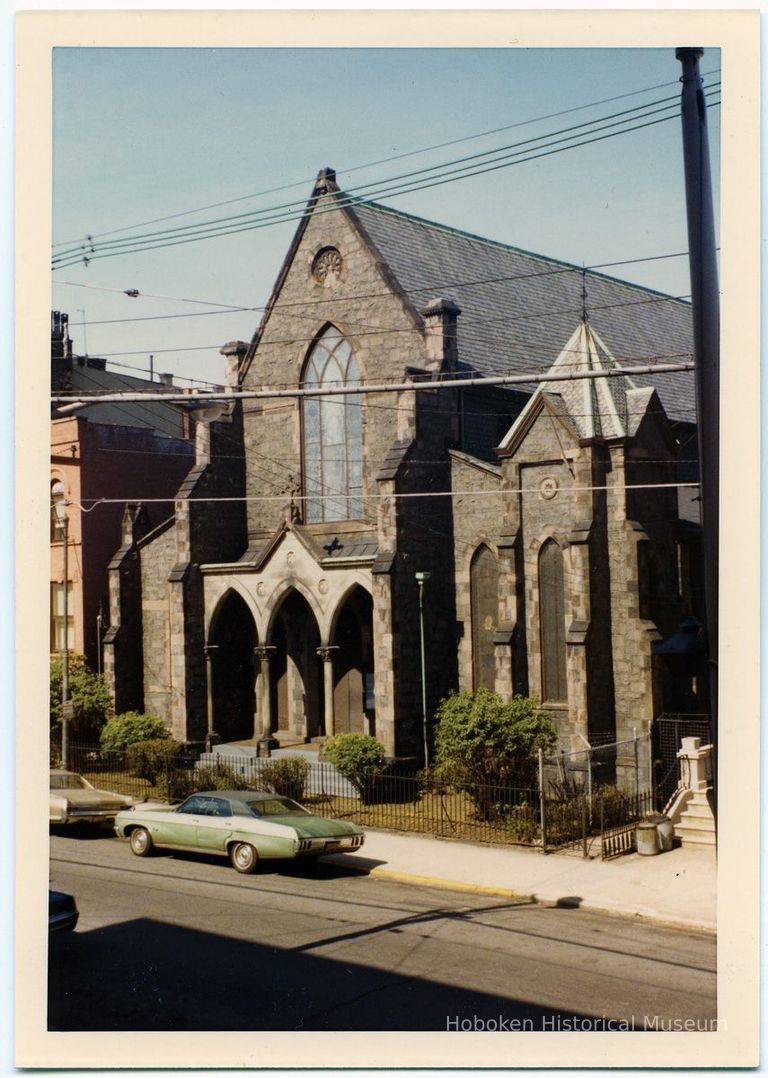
(214,230)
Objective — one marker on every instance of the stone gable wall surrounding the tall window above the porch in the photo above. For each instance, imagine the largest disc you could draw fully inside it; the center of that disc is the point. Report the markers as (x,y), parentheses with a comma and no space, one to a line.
(358,302)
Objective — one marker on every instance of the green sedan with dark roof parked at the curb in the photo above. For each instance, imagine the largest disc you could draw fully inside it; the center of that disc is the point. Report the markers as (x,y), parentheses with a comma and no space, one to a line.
(242,825)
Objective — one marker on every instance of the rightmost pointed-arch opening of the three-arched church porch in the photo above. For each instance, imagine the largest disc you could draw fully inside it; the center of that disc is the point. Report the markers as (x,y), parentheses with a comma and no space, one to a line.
(353,666)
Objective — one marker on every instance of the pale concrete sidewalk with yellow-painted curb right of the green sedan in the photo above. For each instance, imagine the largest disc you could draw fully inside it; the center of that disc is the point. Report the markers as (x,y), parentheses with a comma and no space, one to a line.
(678,888)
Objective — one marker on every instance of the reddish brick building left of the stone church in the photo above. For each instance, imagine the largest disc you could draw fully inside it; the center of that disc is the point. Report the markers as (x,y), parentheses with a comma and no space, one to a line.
(105,452)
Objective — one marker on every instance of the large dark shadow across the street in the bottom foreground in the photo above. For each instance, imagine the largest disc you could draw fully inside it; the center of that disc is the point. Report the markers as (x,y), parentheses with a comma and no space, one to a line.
(149,976)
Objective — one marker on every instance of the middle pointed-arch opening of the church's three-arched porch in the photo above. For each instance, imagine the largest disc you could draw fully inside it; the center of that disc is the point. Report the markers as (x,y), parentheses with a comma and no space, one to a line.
(297,670)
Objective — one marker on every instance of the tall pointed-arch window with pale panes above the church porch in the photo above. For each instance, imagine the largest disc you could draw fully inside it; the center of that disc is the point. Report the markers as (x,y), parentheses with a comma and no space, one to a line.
(333,433)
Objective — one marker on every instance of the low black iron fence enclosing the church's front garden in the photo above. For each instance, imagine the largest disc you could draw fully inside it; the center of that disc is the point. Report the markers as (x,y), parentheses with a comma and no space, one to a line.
(567,805)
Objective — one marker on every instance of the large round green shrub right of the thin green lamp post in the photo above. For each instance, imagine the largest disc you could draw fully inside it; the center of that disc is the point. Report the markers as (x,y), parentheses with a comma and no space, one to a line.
(483,743)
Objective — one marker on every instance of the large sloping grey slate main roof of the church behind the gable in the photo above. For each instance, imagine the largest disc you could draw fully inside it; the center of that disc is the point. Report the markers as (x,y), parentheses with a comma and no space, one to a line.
(527,307)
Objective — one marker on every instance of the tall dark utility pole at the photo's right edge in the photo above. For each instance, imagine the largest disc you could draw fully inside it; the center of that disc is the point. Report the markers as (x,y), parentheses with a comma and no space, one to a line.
(706,309)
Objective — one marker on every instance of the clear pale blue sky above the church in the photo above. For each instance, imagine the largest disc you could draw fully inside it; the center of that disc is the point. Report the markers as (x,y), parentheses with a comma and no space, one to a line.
(142,134)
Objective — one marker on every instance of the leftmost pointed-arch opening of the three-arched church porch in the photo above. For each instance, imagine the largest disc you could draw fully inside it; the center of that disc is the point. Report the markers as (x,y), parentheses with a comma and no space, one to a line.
(231,641)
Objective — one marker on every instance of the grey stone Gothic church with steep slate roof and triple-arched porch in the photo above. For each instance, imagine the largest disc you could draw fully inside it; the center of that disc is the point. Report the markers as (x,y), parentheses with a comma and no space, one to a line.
(557,561)
